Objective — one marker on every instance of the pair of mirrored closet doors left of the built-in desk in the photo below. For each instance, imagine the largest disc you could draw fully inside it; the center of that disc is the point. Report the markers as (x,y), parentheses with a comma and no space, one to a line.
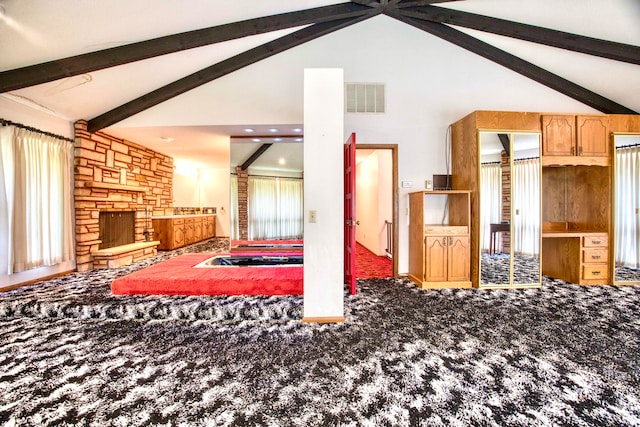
(509,195)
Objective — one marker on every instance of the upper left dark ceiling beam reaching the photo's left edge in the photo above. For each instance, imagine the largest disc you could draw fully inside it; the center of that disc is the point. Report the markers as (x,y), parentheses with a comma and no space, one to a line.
(66,67)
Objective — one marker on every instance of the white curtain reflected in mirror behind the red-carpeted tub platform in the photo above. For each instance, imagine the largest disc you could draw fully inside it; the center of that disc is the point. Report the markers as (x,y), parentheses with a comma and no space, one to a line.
(275,208)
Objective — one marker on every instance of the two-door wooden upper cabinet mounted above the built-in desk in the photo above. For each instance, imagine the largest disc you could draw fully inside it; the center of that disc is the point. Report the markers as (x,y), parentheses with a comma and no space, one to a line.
(575,140)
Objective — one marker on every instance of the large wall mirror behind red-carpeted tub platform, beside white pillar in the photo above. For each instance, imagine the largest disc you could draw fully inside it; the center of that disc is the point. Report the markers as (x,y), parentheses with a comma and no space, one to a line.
(267,190)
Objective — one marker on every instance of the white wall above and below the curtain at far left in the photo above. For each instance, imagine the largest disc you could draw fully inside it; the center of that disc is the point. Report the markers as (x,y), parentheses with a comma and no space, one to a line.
(19,113)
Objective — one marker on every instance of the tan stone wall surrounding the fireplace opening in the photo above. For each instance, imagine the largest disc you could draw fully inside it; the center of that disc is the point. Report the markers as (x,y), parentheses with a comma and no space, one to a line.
(112,174)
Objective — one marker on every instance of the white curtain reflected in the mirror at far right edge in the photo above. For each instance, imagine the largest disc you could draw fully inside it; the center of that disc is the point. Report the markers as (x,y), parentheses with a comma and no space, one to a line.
(627,205)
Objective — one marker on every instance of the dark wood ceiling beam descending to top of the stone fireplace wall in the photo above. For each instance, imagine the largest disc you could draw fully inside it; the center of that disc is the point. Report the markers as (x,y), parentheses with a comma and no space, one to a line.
(220,69)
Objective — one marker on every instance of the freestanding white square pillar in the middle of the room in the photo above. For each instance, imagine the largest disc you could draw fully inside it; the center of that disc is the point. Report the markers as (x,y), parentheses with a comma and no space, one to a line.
(323,193)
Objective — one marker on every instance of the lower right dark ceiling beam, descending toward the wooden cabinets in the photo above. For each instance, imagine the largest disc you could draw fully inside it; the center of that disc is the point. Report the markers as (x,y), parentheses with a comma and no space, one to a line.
(518,65)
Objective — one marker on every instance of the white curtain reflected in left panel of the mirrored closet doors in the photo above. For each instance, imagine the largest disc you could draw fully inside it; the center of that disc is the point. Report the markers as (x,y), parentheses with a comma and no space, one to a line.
(490,202)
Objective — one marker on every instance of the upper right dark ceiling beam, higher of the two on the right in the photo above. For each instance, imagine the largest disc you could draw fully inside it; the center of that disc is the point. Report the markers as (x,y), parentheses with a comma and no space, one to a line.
(560,39)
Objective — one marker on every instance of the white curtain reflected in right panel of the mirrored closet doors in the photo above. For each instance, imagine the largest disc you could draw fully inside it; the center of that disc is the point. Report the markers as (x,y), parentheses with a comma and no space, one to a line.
(525,205)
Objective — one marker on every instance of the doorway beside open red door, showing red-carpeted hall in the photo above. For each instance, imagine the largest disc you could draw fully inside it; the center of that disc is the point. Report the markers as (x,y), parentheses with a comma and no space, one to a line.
(377,232)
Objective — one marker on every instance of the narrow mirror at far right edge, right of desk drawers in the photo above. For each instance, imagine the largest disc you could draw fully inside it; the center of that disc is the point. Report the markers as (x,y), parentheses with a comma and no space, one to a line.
(626,209)
